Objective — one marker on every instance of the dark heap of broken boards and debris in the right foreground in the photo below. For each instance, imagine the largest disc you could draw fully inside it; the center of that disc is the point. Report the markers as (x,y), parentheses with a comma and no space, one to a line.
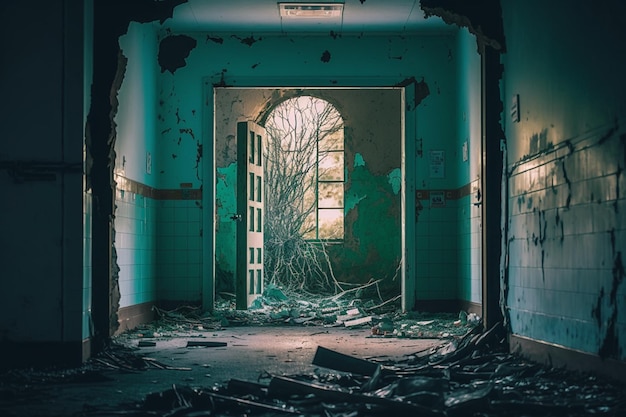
(469,376)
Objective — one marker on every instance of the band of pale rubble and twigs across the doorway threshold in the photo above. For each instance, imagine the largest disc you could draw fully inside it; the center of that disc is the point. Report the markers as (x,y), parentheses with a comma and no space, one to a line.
(275,308)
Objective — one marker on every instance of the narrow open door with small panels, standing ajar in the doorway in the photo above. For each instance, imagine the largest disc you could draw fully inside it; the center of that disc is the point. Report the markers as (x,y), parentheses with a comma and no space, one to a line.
(249,282)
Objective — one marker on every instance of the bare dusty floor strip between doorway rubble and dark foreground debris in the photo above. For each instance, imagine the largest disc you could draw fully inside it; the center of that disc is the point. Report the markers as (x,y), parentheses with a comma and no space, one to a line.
(249,352)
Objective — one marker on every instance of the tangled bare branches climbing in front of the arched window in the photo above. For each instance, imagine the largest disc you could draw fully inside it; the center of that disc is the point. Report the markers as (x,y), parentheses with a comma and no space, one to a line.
(295,257)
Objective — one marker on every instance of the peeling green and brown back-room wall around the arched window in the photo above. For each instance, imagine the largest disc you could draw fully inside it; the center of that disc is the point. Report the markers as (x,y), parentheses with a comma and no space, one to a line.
(372,243)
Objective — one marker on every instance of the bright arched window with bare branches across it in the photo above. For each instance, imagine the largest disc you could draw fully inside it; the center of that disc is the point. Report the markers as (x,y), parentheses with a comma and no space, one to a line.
(305,168)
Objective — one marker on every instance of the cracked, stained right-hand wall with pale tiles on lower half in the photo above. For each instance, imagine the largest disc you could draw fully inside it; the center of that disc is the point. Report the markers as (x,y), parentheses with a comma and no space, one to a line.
(565,174)
